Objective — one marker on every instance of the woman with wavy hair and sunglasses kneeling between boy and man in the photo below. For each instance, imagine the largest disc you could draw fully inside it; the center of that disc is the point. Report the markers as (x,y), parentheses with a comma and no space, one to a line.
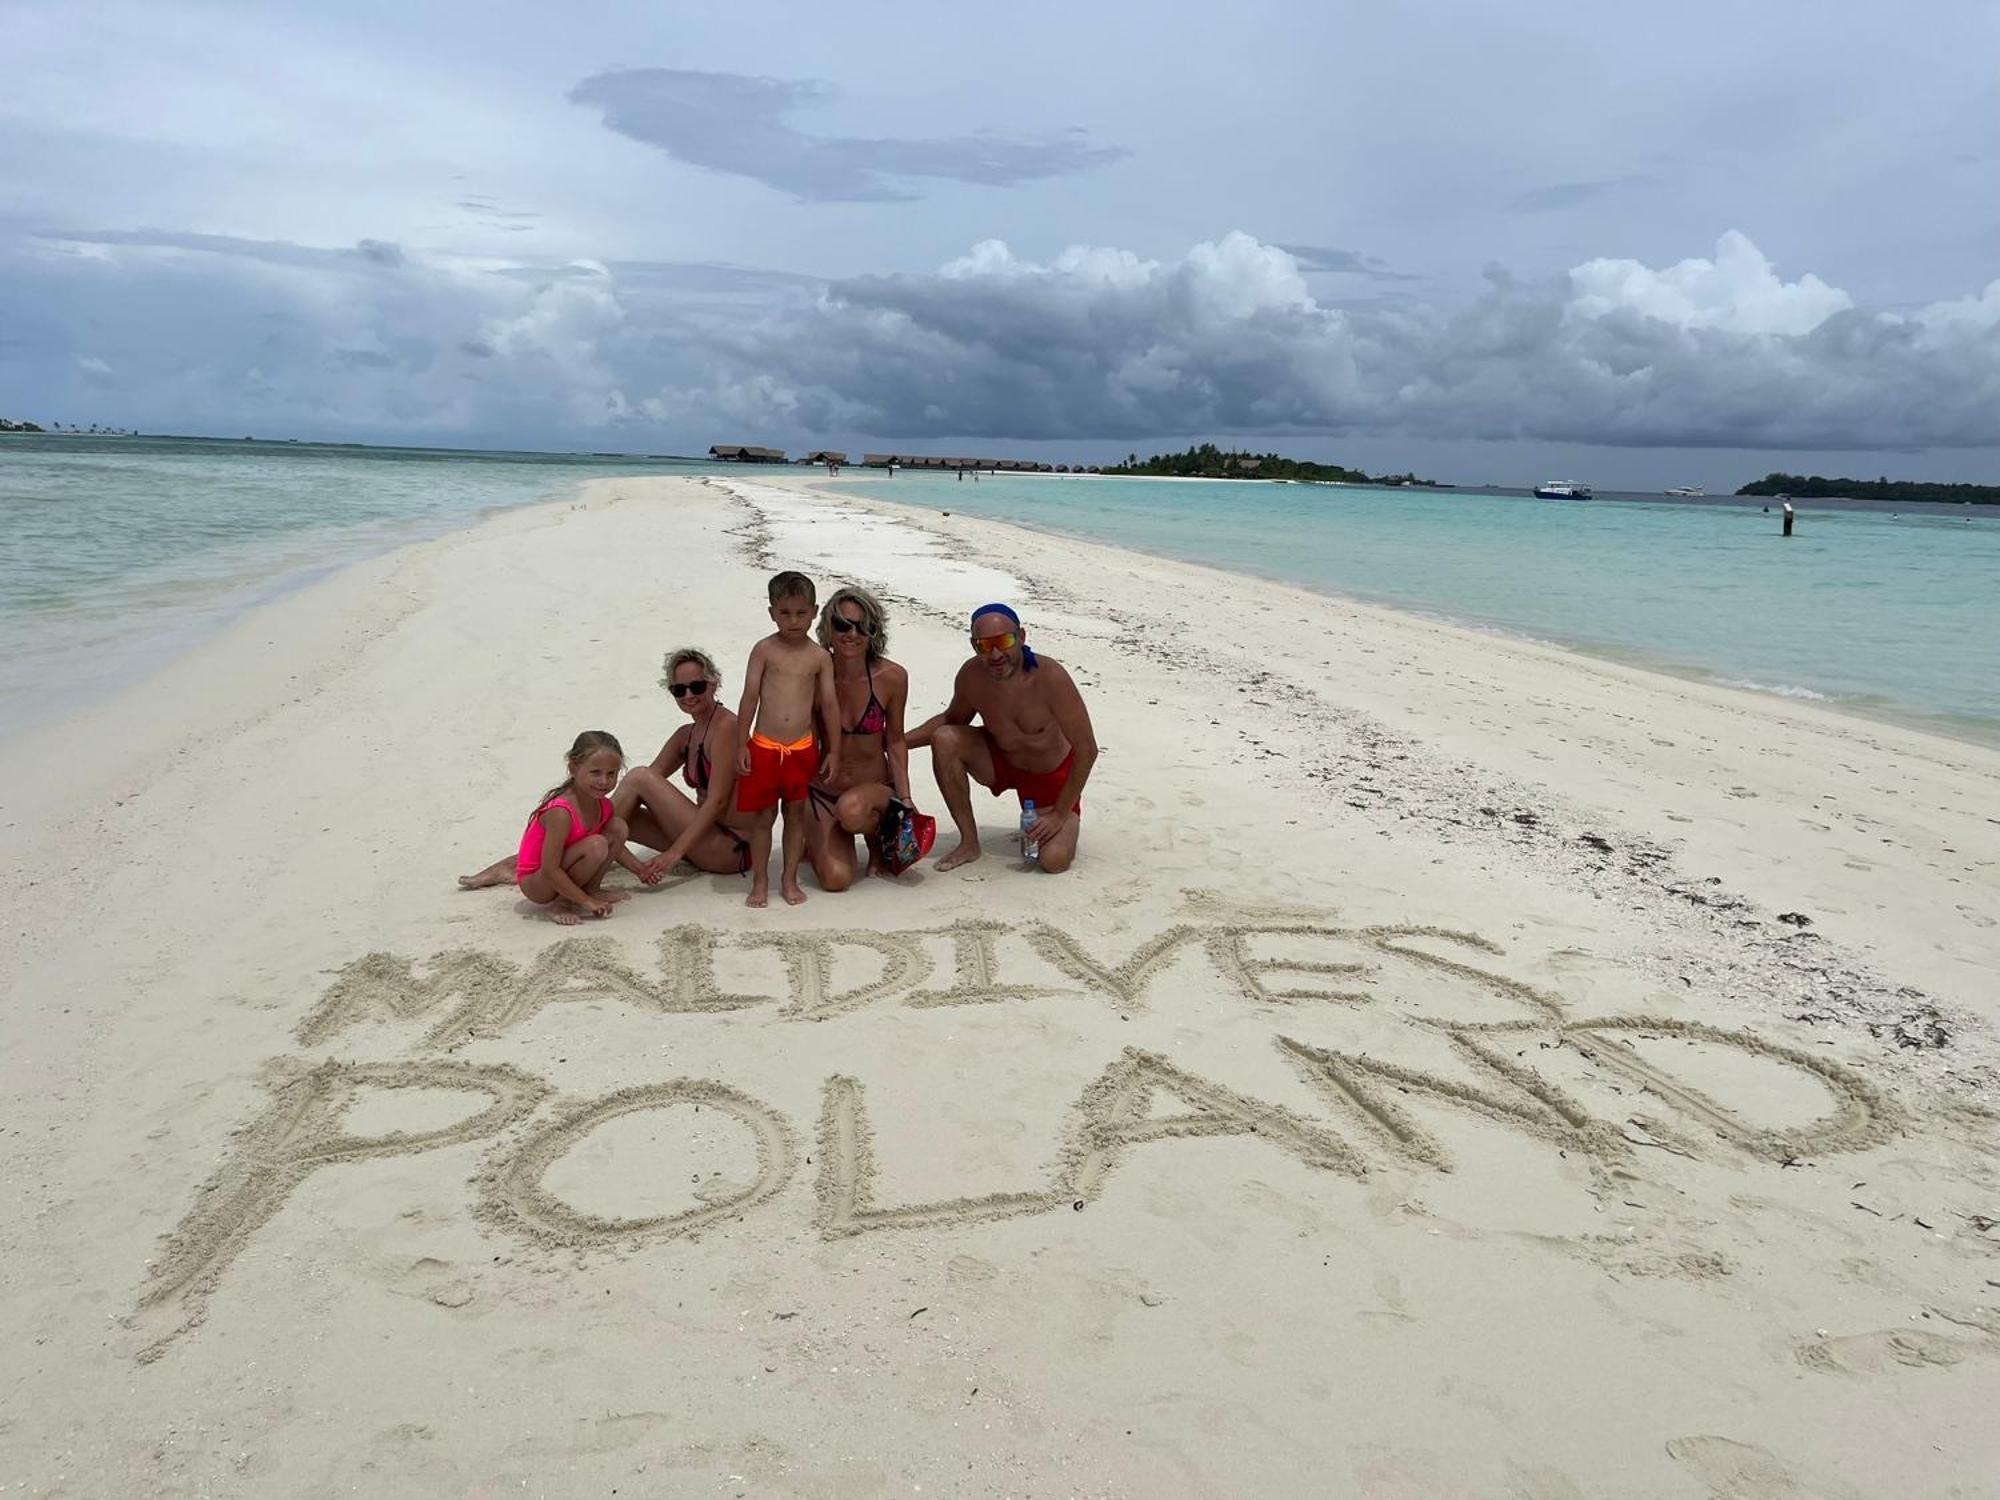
(875,763)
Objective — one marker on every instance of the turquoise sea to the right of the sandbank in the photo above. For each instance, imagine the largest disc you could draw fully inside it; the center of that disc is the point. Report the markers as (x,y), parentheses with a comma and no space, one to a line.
(1887,611)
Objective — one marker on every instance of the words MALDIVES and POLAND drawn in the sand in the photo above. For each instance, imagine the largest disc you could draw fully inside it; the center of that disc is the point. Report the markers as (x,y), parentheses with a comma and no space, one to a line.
(473,995)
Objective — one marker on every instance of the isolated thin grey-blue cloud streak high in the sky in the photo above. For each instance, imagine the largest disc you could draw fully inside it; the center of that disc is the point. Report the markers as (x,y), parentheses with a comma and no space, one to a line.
(737,125)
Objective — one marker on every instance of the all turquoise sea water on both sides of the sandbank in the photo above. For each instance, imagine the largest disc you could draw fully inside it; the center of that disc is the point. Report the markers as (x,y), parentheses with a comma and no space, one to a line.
(119,553)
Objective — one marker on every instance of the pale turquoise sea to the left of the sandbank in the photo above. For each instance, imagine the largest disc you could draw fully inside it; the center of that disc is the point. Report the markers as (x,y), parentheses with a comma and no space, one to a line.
(119,553)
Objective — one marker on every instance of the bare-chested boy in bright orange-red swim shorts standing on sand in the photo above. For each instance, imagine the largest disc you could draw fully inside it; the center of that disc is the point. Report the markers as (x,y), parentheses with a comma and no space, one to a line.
(777,757)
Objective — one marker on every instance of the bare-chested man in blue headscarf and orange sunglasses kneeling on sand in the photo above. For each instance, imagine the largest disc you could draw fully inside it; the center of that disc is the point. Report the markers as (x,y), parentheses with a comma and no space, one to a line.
(1033,739)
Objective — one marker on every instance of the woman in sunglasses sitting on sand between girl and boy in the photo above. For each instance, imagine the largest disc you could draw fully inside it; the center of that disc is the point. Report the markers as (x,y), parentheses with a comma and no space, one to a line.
(657,813)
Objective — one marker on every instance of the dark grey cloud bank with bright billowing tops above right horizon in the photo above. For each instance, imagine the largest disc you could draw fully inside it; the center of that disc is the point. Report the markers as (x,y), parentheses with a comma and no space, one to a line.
(1229,341)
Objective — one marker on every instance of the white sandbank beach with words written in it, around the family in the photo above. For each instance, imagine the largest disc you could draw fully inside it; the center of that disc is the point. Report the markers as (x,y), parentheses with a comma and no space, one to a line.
(1455,1067)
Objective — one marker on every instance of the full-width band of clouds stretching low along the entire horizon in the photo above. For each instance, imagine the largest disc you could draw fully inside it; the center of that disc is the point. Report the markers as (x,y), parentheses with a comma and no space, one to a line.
(1095,345)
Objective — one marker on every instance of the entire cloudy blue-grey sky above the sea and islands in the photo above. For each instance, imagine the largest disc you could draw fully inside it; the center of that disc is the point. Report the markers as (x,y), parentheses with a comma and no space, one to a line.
(1489,241)
